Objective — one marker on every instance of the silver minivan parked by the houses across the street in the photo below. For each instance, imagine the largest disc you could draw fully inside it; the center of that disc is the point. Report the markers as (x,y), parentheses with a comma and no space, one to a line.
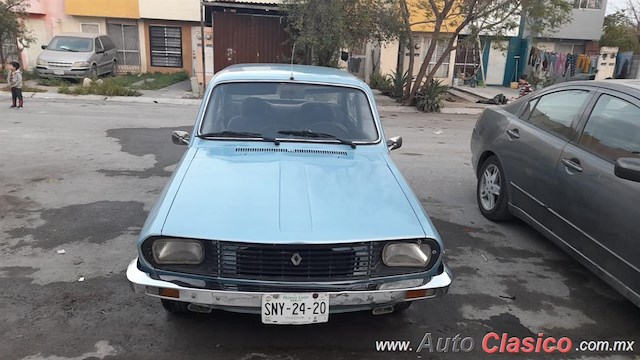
(78,55)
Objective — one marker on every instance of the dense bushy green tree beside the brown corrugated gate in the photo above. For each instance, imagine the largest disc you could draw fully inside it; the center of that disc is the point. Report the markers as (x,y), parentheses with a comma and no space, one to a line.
(321,28)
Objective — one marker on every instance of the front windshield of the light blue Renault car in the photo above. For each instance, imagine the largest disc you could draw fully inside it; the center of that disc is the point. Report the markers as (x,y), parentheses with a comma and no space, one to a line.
(290,111)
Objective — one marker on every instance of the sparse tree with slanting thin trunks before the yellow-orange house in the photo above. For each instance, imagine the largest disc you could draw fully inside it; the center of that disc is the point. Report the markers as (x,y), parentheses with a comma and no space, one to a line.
(491,18)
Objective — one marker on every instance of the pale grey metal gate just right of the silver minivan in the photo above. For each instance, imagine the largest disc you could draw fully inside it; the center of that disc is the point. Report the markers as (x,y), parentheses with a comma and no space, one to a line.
(125,36)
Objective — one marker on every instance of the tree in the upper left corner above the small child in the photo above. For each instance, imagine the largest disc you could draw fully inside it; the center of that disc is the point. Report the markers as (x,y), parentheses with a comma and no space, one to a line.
(12,15)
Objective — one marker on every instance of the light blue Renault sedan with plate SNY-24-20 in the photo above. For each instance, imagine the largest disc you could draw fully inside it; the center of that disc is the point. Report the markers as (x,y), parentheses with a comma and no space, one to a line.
(286,204)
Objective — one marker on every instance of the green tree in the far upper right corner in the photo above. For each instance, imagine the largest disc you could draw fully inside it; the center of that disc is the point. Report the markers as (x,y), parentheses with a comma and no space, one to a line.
(620,32)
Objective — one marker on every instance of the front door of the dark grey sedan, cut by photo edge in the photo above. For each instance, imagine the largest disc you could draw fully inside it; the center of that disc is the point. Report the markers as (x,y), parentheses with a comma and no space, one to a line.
(596,212)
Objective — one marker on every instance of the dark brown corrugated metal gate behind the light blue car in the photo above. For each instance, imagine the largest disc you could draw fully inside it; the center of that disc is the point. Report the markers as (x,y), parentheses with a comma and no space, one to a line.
(248,38)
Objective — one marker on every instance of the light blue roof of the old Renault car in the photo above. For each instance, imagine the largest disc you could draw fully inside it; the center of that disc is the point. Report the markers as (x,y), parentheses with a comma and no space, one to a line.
(284,72)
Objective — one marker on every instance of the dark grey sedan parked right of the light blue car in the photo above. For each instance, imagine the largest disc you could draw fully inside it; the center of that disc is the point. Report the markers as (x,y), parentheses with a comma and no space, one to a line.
(566,160)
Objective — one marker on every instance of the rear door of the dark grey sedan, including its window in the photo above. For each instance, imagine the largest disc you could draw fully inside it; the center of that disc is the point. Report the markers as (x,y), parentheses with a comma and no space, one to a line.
(532,145)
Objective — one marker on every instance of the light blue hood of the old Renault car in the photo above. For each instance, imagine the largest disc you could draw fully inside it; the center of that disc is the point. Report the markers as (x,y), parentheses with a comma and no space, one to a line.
(282,198)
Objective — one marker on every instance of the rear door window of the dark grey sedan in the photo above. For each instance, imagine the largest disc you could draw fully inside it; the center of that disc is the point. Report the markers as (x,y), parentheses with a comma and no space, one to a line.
(556,112)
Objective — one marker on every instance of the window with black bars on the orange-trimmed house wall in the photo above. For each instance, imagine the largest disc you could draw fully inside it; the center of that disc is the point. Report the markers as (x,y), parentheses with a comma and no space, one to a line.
(165,43)
